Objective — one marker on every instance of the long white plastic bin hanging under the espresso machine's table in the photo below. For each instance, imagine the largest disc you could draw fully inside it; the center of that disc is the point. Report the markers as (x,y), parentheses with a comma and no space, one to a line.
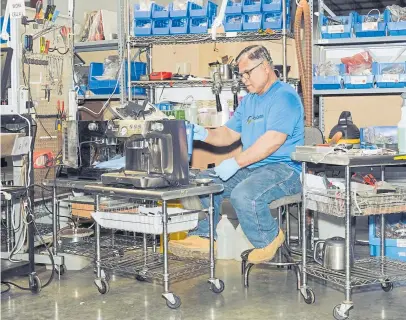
(148,220)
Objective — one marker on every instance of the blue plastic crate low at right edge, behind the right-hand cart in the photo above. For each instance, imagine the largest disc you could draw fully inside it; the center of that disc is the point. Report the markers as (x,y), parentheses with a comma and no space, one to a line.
(394,248)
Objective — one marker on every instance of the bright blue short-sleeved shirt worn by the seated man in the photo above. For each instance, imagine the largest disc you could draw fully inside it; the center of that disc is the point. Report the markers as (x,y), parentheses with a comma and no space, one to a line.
(279,109)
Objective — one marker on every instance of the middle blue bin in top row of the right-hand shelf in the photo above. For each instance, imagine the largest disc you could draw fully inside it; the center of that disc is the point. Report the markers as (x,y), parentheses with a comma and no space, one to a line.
(366,29)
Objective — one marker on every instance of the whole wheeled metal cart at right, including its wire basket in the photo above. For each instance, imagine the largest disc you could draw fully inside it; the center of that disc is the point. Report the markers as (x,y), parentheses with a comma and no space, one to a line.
(346,204)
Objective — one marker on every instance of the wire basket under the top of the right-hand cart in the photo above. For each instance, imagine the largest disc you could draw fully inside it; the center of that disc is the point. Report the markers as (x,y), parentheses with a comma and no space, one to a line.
(332,202)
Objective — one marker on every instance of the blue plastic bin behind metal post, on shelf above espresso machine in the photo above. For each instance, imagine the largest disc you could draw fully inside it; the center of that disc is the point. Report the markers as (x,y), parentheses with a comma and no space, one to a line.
(107,86)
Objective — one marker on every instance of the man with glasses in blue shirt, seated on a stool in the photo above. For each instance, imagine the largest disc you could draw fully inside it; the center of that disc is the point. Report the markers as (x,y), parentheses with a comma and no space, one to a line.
(269,121)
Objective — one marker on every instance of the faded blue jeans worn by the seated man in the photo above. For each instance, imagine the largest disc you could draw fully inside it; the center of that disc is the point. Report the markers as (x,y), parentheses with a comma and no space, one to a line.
(250,192)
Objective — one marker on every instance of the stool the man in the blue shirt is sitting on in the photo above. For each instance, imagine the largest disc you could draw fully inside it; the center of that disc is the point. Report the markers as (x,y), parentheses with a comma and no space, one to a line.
(283,257)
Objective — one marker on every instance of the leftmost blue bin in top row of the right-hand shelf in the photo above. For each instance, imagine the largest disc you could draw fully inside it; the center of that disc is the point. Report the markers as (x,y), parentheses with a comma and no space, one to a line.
(343,30)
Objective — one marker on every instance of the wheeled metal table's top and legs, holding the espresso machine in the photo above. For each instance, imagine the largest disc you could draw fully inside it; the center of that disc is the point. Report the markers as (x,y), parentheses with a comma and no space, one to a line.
(165,195)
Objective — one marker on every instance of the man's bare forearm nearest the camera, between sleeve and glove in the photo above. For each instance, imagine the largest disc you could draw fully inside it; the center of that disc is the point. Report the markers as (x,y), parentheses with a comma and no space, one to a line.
(267,144)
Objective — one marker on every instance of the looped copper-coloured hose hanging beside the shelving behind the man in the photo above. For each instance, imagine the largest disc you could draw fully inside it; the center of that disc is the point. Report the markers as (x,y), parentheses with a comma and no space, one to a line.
(305,64)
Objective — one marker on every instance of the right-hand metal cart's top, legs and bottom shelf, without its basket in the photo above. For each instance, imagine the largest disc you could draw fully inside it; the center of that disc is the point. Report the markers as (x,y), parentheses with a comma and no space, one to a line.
(364,272)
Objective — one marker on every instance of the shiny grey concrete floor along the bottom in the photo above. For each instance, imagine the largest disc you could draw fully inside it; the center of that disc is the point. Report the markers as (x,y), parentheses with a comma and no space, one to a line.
(272,295)
